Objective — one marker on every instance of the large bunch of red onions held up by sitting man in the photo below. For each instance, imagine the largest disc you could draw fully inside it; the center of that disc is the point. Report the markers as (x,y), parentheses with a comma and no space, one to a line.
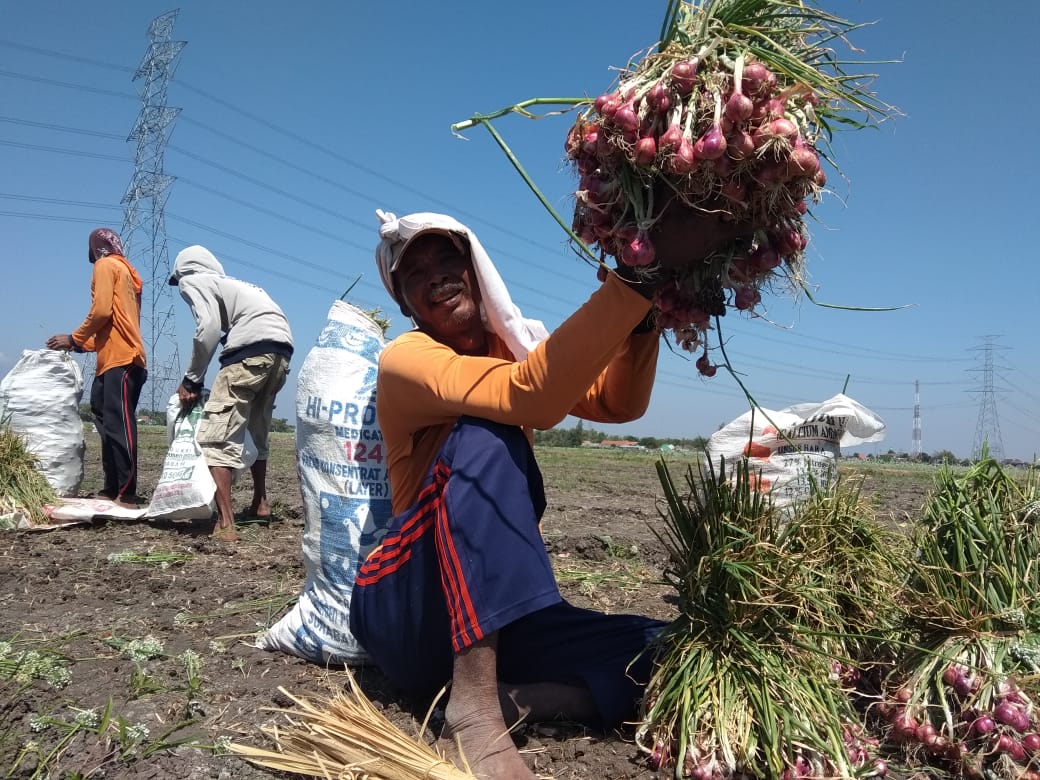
(733,113)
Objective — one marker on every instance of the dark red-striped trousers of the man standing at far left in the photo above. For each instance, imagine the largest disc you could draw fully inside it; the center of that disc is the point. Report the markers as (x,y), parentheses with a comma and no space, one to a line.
(114,404)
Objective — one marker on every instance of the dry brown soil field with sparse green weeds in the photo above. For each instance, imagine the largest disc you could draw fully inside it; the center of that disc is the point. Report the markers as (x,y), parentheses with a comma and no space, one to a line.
(142,632)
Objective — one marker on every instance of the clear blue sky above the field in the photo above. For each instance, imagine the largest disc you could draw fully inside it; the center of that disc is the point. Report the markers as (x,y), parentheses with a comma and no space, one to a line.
(299,121)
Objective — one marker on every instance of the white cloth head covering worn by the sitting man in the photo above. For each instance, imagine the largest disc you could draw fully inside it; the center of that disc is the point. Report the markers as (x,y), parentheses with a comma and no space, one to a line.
(498,310)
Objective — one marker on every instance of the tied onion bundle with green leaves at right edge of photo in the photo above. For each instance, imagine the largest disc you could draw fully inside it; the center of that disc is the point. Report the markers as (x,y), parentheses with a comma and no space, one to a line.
(966,699)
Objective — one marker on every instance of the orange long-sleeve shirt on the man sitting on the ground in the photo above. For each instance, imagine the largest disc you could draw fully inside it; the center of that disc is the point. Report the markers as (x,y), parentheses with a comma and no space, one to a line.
(600,372)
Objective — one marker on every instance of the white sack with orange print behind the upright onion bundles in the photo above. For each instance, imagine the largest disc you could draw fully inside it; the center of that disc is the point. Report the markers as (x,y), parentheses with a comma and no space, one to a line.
(790,449)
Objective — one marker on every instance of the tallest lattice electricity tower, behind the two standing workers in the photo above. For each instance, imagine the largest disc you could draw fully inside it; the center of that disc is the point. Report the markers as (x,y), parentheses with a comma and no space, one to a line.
(145,200)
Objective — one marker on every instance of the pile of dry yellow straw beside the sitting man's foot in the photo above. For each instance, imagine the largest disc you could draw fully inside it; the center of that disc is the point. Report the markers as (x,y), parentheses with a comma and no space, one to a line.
(348,739)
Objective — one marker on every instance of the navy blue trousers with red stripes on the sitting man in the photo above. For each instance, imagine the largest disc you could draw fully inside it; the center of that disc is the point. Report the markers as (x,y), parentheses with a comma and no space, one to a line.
(467,561)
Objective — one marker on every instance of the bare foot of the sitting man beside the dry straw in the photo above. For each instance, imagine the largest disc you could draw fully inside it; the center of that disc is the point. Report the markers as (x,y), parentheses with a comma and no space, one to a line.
(487,746)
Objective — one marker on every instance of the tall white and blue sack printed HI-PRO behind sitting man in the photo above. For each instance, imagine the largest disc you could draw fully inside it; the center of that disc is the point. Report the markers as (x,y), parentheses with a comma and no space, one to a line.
(343,471)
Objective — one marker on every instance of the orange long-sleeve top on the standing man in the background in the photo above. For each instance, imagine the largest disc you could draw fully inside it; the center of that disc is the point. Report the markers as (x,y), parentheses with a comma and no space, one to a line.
(113,326)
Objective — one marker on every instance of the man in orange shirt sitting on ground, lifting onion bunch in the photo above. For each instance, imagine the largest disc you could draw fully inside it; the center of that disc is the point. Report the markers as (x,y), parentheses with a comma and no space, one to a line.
(462,588)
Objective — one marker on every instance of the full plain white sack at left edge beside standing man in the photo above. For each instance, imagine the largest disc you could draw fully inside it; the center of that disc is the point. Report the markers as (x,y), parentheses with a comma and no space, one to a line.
(40,400)
